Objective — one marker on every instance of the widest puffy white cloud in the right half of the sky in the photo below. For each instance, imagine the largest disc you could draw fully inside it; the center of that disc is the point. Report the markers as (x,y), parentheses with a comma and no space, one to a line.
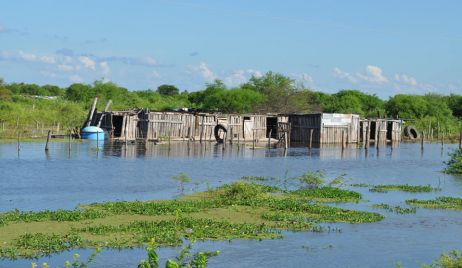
(373,75)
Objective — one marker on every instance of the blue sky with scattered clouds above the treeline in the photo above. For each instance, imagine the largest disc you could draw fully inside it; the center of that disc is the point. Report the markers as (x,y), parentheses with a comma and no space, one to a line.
(379,47)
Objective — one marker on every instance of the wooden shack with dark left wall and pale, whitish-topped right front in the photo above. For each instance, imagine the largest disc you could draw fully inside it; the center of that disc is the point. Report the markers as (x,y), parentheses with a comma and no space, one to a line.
(324,128)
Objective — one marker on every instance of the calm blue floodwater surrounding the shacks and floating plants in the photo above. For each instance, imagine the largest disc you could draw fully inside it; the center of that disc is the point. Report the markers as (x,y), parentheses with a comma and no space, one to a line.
(35,180)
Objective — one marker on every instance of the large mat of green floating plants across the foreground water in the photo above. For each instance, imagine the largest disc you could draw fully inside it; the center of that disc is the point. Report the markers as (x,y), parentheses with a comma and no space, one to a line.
(234,211)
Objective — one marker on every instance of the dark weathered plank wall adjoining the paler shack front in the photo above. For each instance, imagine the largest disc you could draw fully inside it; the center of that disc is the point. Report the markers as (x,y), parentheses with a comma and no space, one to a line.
(301,126)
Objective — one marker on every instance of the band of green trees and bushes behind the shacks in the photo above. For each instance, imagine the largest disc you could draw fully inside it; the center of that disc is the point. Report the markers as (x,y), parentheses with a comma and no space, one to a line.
(272,92)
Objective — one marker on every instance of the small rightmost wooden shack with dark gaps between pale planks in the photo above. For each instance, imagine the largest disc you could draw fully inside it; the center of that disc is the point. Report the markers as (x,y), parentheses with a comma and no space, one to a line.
(380,130)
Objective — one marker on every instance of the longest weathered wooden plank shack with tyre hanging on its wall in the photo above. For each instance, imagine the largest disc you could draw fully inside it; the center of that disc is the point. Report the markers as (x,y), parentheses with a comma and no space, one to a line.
(142,124)
